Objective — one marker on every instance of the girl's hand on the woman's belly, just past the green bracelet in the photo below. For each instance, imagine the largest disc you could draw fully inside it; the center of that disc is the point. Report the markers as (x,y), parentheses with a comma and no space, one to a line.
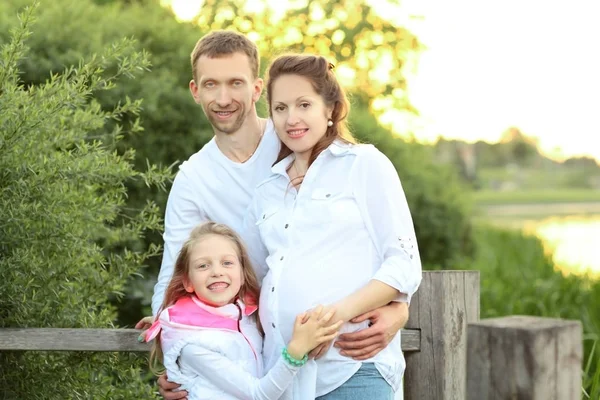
(312,329)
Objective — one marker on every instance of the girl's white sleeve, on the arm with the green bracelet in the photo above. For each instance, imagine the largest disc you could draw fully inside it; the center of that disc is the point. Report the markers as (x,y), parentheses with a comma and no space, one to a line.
(232,379)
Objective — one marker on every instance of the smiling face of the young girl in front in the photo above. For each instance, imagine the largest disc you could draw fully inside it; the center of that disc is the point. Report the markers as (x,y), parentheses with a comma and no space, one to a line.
(215,273)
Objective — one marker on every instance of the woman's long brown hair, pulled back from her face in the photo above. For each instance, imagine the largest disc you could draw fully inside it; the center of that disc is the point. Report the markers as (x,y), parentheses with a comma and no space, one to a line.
(320,73)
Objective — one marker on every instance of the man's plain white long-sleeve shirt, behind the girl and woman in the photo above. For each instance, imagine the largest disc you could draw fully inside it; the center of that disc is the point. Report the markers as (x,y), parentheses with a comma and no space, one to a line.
(210,187)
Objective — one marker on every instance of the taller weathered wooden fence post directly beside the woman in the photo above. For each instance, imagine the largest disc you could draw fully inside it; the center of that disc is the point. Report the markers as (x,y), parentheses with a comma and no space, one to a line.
(445,302)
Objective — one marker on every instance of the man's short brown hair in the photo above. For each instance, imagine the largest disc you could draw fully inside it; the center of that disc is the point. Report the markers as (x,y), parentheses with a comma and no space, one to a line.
(223,43)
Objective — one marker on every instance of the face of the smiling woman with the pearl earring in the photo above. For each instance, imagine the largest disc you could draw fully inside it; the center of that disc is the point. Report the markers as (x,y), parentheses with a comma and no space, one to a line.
(299,113)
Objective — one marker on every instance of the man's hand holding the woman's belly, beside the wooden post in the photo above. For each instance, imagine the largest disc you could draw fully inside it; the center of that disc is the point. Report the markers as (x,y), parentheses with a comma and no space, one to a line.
(385,322)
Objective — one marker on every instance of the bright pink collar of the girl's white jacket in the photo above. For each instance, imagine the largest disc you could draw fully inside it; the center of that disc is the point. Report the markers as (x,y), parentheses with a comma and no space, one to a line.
(191,311)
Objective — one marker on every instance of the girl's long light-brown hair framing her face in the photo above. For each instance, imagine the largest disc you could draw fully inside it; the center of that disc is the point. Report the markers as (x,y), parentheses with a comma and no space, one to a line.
(249,290)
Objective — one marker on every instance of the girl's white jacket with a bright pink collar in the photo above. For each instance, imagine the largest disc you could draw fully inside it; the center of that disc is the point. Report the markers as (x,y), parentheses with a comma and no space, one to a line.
(216,352)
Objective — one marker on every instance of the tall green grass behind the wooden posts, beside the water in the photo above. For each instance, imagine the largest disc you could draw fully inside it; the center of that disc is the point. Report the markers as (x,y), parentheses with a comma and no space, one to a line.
(519,278)
